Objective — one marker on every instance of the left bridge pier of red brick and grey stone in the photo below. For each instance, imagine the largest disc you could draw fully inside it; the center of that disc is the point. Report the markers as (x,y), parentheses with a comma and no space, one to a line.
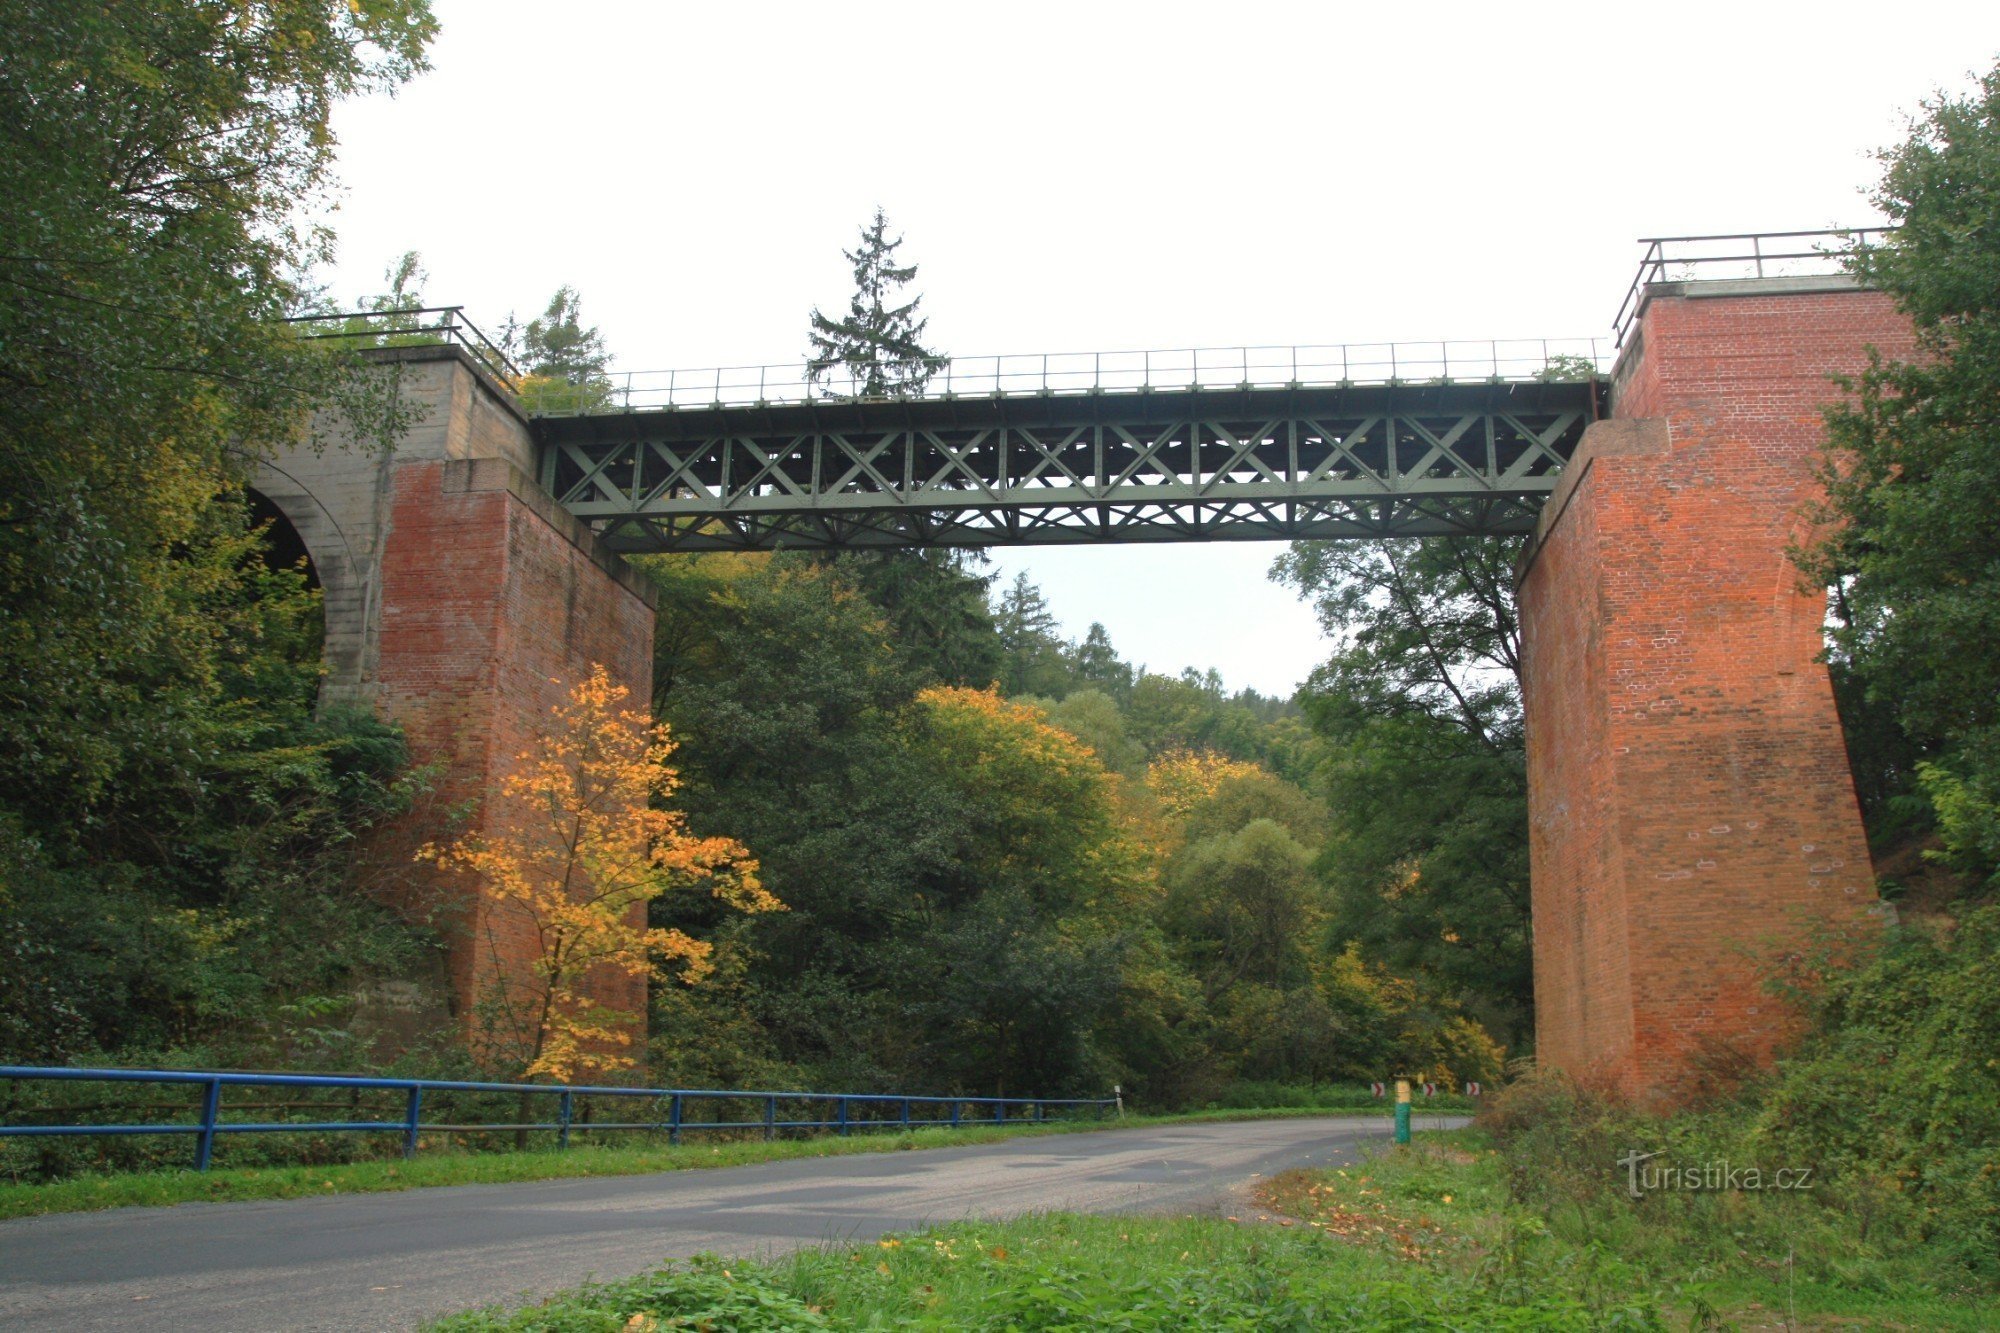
(461,601)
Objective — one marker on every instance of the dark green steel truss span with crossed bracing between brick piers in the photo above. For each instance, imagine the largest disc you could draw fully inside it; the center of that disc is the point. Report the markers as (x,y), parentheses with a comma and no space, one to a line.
(1167,467)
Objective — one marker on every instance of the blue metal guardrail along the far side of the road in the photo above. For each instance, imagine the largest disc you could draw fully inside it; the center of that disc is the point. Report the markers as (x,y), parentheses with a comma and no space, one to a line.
(211,1124)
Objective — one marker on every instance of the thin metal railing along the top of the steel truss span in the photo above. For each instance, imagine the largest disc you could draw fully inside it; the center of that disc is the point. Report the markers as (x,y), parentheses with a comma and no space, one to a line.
(1093,373)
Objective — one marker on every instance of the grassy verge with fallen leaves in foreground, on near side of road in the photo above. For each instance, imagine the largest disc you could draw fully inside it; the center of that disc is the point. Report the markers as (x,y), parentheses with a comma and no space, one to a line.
(1421,1240)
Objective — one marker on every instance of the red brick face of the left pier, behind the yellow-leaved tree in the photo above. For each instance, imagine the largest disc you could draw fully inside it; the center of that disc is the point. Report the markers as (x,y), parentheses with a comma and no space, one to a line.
(493,605)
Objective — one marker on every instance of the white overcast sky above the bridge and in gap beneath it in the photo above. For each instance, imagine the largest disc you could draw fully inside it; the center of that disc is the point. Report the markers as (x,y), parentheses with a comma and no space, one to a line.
(1123,177)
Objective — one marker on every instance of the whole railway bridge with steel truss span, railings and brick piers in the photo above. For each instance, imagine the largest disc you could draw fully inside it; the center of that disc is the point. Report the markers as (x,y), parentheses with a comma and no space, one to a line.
(1693,816)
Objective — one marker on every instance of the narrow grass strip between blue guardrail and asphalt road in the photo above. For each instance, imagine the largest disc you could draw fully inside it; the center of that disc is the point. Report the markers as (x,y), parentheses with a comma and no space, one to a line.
(455,1168)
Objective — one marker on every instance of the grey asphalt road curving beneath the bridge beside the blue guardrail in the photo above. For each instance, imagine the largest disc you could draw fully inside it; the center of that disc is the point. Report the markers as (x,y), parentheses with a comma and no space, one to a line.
(389,1262)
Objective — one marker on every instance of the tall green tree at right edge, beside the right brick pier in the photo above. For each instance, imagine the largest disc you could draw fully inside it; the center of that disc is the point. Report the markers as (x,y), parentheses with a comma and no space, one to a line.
(1913,481)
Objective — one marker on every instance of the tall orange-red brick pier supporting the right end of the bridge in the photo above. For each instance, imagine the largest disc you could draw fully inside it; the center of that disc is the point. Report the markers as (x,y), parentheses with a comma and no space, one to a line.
(1693,814)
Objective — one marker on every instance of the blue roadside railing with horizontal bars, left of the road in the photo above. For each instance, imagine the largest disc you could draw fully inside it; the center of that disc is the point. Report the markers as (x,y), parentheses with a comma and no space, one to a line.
(567,1108)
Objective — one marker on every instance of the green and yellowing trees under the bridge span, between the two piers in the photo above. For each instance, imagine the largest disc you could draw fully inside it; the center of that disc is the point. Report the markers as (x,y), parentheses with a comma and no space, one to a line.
(985,894)
